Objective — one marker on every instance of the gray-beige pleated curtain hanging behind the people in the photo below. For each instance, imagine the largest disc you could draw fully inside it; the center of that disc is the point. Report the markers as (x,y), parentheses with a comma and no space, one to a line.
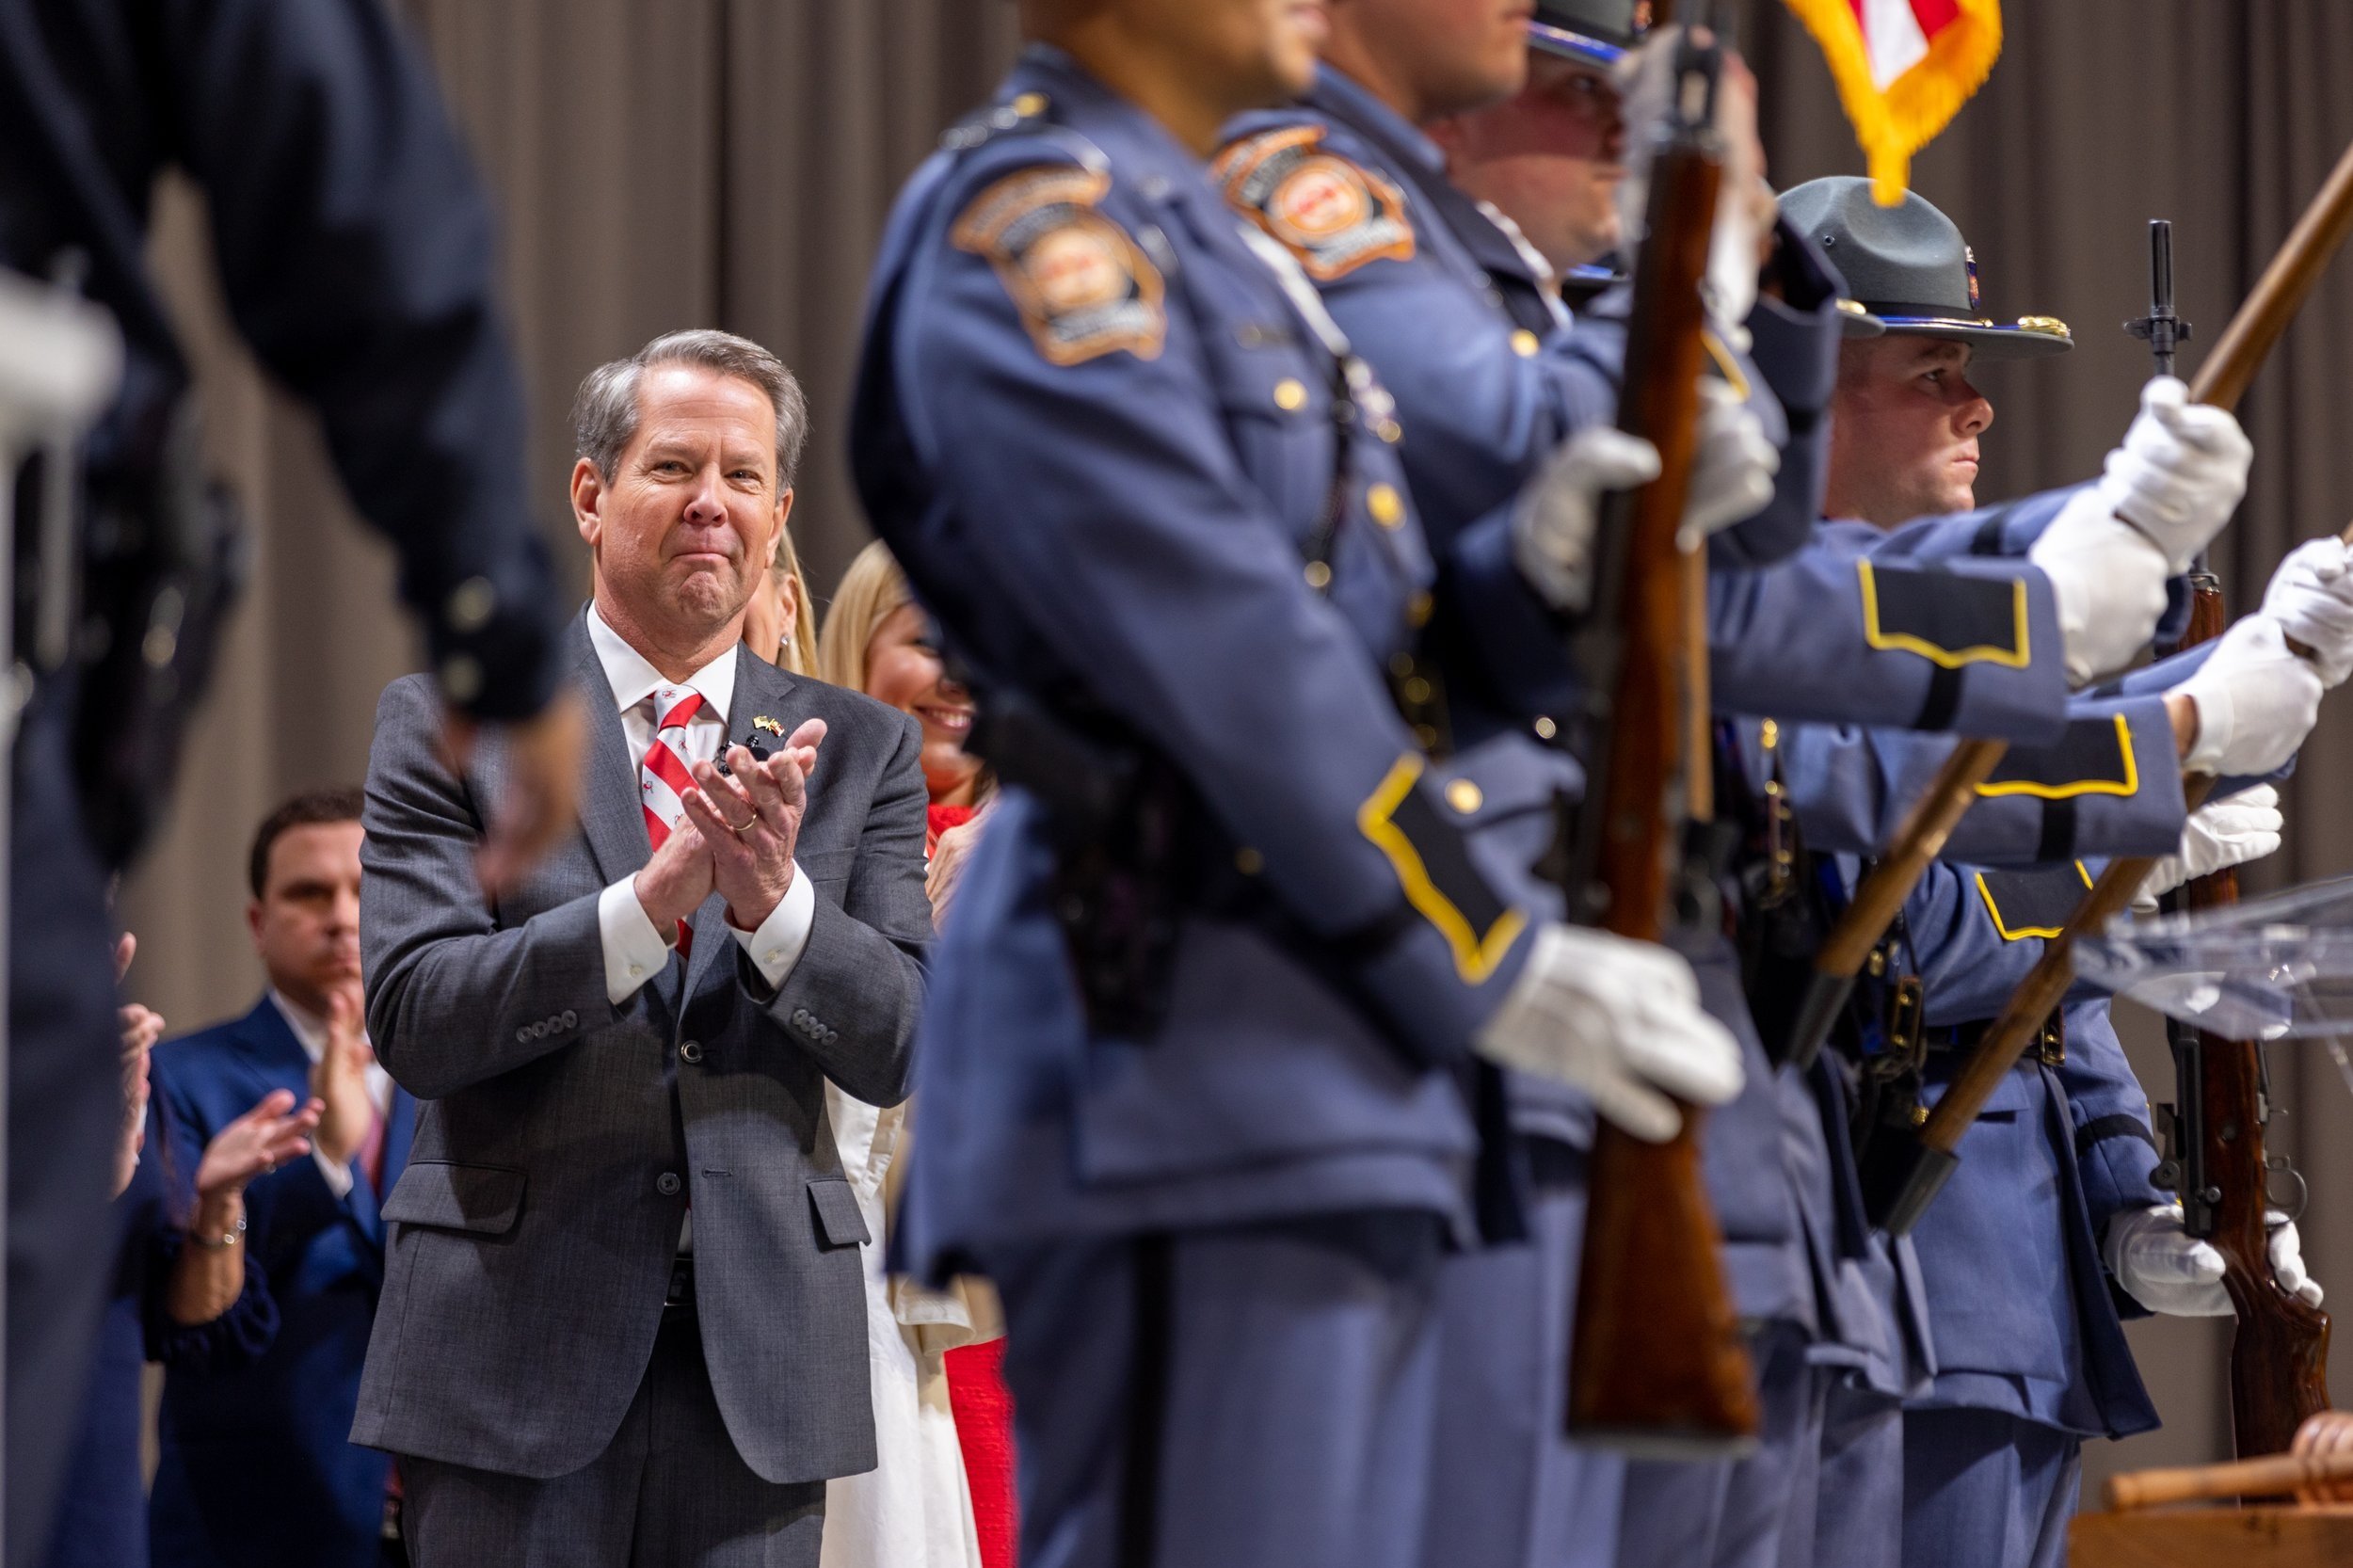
(669,164)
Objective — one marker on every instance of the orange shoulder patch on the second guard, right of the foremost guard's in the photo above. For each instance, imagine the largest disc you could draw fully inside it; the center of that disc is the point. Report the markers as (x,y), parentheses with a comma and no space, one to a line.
(1328,211)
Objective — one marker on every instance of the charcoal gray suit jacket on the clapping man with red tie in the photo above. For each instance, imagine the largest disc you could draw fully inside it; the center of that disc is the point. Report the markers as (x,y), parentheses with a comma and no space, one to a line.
(561,1136)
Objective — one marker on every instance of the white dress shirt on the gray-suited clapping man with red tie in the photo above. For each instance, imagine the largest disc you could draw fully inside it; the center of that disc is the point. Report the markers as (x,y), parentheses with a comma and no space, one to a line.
(634,948)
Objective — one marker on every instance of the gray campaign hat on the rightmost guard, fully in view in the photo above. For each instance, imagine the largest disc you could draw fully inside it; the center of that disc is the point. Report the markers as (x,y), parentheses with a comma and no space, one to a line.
(1909,270)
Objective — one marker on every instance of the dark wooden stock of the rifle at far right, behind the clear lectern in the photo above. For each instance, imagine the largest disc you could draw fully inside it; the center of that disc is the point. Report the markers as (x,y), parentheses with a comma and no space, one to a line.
(2281,1346)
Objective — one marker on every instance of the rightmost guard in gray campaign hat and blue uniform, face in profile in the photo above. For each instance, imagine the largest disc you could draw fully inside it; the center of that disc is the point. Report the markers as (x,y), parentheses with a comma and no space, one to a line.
(2013,1298)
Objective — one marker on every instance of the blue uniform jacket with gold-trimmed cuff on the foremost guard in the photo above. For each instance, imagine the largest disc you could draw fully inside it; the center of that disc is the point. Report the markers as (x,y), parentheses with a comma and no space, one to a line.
(1098,427)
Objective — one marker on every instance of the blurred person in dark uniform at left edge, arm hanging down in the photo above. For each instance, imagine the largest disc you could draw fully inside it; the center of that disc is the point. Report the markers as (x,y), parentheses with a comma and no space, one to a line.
(356,258)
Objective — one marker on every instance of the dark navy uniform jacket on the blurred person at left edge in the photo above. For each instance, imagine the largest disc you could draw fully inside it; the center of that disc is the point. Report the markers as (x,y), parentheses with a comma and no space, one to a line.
(356,258)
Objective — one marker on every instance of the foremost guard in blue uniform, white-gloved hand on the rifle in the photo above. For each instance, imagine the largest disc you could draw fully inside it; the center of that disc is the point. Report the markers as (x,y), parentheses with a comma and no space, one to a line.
(1211,1047)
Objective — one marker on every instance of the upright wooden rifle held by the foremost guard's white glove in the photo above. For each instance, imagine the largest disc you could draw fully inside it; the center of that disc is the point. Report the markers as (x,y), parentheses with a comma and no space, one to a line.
(1658,1360)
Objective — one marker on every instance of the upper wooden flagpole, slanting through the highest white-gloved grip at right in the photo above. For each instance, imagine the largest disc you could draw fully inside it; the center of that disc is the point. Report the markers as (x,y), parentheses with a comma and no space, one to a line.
(2222,380)
